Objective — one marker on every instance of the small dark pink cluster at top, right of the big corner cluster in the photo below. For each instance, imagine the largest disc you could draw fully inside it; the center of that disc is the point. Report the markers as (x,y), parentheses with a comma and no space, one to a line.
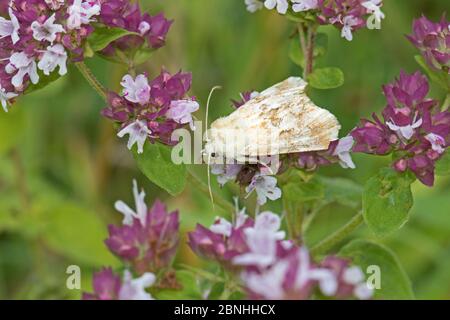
(150,31)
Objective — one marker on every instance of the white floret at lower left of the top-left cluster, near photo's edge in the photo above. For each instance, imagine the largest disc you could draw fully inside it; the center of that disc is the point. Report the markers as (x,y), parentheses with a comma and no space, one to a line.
(24,65)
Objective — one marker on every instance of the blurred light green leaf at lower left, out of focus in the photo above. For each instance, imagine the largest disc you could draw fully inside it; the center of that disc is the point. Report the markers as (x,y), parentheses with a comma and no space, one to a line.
(78,234)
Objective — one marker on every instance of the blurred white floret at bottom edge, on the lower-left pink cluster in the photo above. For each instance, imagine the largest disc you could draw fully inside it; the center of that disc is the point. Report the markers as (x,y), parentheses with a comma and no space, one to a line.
(134,289)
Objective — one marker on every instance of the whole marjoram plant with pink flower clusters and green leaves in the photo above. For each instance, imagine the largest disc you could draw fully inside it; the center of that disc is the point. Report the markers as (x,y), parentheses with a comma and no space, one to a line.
(259,254)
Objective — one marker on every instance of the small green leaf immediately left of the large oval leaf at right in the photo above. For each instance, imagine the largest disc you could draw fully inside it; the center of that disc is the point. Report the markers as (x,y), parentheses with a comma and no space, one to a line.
(343,191)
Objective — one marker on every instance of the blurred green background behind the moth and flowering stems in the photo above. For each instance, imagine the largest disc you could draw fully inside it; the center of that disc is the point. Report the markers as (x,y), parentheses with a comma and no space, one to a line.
(62,167)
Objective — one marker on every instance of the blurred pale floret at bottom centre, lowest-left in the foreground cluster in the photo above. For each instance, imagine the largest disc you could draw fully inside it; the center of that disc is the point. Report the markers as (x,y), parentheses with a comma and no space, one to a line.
(269,283)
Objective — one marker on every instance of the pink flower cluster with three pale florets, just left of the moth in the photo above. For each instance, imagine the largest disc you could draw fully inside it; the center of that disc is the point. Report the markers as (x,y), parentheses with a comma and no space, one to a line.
(152,109)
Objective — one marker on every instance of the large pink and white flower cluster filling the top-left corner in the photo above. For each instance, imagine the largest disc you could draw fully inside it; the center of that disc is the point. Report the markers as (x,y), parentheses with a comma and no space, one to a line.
(39,36)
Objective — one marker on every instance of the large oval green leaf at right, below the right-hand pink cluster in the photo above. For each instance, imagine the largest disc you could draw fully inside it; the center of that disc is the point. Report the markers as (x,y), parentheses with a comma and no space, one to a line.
(387,200)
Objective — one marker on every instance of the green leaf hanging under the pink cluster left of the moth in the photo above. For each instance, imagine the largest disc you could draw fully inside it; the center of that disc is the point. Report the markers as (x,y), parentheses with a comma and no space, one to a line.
(157,165)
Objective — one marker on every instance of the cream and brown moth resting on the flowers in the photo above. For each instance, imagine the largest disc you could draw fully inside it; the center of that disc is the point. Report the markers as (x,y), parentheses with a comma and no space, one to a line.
(280,120)
